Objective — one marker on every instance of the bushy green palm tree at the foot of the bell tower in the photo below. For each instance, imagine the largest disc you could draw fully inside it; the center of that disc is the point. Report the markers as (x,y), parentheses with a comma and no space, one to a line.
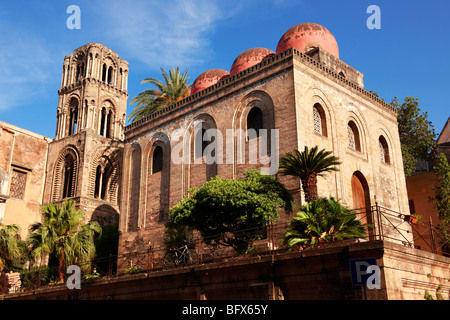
(64,233)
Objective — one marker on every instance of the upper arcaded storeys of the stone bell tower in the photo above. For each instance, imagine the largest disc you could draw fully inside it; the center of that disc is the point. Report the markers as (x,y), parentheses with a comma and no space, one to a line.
(93,93)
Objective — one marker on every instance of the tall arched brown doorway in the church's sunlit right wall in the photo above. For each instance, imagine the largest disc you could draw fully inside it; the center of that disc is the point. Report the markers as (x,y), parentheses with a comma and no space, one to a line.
(361,197)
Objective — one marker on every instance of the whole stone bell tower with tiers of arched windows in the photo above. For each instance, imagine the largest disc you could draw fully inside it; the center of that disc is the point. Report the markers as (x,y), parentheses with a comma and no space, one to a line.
(85,158)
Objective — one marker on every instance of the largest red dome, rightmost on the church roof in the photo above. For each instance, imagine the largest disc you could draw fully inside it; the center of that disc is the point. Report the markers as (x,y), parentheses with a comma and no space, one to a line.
(306,35)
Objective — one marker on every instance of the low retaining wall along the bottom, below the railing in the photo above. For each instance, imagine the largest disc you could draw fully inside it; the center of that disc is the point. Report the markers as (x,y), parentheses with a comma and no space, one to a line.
(316,274)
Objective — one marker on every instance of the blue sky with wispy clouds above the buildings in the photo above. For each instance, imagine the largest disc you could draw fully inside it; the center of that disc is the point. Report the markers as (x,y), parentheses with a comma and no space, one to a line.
(408,56)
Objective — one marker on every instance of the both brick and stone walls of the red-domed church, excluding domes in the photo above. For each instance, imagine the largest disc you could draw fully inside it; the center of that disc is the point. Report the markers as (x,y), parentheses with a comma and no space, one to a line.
(285,87)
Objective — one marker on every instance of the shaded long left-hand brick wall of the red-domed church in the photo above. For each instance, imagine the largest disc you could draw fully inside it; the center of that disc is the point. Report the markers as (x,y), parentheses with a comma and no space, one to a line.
(271,91)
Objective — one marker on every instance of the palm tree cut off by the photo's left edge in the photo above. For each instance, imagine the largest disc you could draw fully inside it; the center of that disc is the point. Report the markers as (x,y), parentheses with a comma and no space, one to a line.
(9,244)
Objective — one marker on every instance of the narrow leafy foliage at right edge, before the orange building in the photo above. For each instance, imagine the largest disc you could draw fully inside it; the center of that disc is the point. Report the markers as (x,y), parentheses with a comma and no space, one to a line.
(442,199)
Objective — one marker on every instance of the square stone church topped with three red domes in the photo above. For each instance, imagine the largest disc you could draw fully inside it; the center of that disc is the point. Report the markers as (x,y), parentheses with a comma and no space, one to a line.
(302,94)
